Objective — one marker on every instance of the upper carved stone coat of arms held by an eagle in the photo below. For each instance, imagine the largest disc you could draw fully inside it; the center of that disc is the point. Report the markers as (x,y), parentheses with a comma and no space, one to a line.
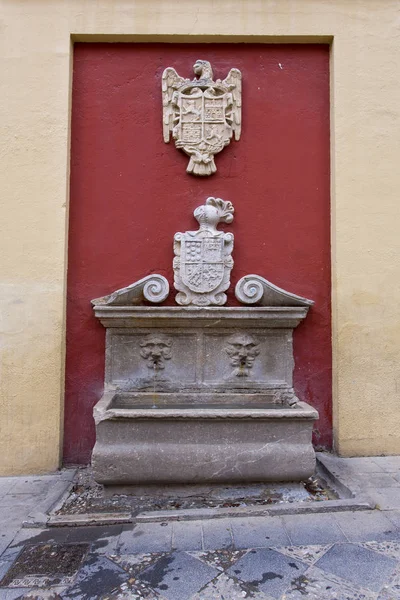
(202,114)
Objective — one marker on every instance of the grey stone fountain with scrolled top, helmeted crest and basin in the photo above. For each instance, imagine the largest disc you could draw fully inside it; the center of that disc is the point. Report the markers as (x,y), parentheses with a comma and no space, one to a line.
(201,392)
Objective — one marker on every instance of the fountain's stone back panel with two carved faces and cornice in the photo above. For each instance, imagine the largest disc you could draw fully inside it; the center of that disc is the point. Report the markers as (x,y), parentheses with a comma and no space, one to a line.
(208,349)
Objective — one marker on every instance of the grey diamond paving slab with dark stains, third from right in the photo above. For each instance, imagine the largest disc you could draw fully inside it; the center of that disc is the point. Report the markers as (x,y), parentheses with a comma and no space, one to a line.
(178,576)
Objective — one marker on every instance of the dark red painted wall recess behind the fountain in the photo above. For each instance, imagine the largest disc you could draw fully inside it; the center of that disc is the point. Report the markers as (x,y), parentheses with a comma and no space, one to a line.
(130,194)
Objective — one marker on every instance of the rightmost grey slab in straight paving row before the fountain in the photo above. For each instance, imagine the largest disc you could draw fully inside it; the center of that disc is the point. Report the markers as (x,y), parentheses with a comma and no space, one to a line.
(366,525)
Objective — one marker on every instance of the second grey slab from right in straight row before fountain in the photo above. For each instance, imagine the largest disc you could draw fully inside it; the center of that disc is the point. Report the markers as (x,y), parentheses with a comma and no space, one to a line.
(313,529)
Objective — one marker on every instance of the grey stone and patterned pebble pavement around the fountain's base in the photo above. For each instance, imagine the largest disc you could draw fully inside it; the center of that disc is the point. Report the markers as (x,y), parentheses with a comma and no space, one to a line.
(324,556)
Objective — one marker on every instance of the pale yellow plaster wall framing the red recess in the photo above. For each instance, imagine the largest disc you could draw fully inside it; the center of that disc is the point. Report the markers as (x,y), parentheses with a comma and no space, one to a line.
(35,78)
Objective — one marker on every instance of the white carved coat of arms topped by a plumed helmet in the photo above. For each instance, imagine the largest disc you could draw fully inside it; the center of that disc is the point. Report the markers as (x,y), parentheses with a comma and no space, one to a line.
(203,261)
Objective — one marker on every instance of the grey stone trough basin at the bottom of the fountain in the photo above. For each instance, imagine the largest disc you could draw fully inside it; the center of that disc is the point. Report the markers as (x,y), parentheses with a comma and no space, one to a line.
(139,443)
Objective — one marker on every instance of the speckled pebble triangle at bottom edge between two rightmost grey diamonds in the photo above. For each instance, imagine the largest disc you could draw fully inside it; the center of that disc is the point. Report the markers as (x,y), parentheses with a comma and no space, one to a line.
(315,584)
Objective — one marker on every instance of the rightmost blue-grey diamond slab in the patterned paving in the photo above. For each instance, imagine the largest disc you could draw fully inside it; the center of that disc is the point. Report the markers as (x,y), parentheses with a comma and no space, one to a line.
(358,565)
